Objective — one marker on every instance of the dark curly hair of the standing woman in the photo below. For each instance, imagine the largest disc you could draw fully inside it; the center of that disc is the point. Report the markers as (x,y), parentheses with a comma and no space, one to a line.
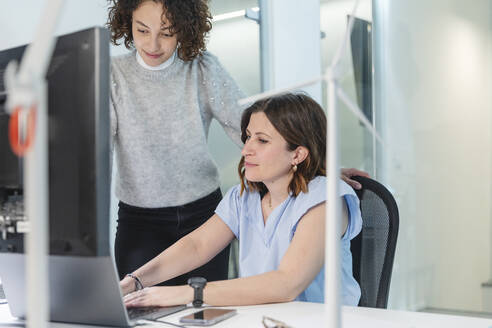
(190,20)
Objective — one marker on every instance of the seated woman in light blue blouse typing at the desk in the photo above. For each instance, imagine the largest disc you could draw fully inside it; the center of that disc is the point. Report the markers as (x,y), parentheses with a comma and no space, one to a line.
(277,213)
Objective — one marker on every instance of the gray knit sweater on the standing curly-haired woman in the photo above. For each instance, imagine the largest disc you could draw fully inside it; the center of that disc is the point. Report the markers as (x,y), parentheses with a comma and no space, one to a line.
(159,127)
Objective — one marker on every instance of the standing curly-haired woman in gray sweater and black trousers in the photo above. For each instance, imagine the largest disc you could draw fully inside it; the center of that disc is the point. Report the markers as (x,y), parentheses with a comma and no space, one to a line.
(164,95)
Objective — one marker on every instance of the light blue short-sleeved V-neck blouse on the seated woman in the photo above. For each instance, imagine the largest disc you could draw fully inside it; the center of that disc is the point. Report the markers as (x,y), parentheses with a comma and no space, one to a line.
(262,246)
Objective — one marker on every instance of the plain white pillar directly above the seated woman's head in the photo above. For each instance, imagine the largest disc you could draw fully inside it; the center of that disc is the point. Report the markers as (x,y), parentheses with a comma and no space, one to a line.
(291,44)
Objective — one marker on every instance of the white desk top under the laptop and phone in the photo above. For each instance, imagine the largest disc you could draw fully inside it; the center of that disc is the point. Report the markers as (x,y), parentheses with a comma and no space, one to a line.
(301,314)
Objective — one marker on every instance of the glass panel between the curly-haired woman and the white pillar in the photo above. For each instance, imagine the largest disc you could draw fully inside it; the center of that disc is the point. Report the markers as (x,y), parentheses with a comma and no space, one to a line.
(234,39)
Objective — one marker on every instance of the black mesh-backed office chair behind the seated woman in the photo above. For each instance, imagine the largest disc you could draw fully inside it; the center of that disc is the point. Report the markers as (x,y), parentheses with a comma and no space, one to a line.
(373,250)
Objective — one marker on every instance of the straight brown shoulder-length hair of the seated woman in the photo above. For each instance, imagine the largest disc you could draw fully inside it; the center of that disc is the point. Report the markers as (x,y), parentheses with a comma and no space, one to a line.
(301,122)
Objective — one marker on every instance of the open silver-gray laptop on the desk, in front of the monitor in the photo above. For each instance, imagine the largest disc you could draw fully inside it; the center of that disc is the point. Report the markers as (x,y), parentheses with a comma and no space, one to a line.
(82,290)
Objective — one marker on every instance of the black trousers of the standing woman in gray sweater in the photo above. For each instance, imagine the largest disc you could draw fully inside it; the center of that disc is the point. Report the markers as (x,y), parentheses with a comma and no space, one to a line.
(143,233)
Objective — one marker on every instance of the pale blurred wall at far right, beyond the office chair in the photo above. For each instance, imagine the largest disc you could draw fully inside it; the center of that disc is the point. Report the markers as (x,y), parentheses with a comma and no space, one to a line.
(431,59)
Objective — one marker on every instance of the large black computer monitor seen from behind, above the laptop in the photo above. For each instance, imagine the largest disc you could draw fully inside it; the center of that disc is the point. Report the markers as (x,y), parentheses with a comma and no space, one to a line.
(78,132)
